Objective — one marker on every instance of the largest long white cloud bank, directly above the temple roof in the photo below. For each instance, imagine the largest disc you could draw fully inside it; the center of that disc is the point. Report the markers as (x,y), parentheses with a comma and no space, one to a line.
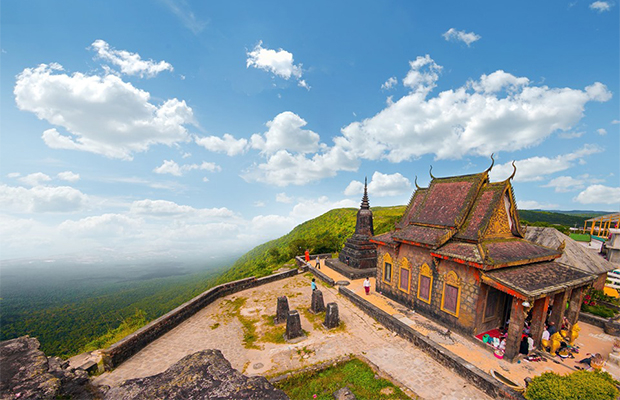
(499,112)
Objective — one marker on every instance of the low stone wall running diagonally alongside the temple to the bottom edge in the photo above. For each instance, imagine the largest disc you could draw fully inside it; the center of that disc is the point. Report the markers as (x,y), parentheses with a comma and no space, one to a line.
(470,372)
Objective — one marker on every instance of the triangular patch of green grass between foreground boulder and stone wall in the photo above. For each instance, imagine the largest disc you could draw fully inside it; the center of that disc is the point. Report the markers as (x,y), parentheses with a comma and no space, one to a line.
(354,374)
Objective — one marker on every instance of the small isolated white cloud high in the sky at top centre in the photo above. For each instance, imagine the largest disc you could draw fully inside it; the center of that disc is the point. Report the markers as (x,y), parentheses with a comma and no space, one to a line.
(278,62)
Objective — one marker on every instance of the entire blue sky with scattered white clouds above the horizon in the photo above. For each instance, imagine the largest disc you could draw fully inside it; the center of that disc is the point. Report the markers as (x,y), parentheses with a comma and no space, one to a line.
(184,129)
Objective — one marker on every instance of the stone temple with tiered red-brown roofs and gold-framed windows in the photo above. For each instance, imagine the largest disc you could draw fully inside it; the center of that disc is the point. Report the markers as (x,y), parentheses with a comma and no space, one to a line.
(458,255)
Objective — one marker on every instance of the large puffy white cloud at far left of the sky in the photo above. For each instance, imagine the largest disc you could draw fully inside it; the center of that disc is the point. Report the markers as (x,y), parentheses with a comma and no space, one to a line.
(104,115)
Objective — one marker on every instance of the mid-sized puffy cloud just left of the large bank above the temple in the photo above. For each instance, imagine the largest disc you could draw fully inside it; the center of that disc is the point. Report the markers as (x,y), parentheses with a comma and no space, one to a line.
(286,133)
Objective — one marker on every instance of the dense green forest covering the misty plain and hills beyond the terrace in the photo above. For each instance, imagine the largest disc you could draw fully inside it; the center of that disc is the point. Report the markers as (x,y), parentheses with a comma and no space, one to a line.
(74,307)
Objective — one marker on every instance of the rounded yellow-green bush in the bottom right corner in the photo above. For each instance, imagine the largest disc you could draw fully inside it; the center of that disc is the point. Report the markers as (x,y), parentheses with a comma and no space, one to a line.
(578,385)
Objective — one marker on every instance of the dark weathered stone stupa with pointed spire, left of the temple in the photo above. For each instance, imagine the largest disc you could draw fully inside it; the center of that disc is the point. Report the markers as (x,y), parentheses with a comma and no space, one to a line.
(358,258)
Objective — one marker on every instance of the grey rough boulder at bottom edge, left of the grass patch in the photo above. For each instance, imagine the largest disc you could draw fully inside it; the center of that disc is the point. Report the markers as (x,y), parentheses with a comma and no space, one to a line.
(202,375)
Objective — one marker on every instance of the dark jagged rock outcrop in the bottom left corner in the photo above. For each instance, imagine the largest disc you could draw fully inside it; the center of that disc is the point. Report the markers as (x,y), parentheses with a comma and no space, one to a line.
(26,373)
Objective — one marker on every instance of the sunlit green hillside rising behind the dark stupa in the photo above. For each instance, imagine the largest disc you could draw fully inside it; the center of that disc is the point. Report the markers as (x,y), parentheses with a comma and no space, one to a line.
(324,234)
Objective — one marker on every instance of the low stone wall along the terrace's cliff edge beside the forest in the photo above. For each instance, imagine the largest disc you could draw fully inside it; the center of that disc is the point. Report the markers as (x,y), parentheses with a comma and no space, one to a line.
(122,350)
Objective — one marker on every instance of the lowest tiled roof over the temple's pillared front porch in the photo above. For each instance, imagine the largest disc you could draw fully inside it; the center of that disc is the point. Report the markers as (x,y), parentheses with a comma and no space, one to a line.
(534,281)
